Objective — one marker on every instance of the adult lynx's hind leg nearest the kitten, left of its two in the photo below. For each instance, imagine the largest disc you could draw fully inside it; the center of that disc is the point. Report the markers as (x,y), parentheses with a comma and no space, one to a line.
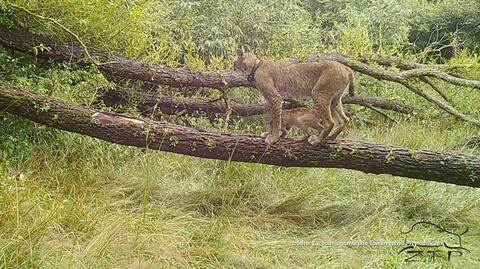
(322,107)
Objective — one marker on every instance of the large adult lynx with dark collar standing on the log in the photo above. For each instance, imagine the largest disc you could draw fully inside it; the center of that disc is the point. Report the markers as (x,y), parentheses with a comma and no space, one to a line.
(323,81)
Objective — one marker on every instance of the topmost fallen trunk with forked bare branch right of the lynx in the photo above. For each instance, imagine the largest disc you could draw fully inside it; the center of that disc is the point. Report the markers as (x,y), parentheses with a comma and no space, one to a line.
(124,68)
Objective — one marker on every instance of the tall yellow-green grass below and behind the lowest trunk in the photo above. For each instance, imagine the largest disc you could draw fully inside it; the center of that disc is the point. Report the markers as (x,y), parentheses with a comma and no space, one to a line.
(83,203)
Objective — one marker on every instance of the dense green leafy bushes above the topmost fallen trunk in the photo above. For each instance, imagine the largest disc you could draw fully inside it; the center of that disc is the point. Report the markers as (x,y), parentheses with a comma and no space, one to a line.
(198,32)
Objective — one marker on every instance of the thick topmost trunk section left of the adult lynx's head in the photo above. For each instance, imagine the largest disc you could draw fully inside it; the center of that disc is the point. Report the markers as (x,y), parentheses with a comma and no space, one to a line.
(120,67)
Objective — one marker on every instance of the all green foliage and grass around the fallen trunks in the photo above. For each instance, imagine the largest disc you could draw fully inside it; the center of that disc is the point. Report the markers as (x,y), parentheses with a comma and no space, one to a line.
(70,201)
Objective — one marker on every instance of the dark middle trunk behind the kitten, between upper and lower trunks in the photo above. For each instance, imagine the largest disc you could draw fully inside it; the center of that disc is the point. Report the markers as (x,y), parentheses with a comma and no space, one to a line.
(148,103)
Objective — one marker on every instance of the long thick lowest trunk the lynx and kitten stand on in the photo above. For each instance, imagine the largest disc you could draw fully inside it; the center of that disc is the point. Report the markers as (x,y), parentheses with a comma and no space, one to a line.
(363,156)
